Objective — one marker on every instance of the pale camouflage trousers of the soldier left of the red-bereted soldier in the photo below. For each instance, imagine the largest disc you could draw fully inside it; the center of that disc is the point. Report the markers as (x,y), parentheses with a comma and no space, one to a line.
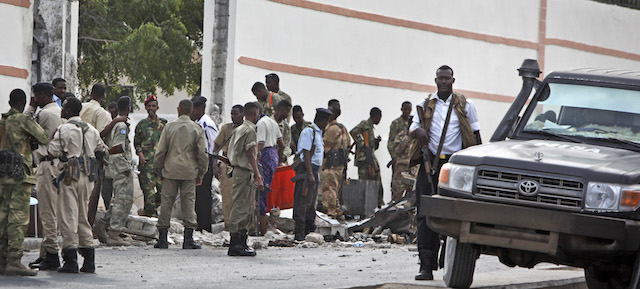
(121,202)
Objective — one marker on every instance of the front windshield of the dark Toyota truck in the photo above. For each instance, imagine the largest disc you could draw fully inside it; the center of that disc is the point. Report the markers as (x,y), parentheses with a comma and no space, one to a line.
(588,112)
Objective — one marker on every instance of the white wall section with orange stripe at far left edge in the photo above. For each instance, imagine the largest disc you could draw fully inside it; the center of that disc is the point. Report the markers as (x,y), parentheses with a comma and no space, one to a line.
(15,49)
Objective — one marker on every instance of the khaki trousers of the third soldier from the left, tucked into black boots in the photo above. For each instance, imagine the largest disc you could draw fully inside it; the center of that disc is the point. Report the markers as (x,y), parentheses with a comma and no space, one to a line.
(73,221)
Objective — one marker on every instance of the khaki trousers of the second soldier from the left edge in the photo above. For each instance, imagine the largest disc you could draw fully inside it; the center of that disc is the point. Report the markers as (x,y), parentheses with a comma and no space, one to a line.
(47,195)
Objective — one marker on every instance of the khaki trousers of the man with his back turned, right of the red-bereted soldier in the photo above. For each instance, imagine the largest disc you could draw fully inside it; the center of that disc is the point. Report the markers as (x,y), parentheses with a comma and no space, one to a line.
(187,189)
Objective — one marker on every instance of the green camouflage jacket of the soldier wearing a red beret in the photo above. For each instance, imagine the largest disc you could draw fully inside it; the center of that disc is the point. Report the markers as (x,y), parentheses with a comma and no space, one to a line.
(147,136)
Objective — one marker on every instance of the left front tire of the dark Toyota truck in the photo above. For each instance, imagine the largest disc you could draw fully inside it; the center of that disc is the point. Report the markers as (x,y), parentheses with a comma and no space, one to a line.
(459,264)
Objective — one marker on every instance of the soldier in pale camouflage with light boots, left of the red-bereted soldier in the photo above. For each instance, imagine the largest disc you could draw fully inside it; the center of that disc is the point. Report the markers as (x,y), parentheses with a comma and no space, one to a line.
(120,171)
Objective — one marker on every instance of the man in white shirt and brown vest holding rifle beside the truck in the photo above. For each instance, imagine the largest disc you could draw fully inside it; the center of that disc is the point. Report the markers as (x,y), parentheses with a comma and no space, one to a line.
(441,133)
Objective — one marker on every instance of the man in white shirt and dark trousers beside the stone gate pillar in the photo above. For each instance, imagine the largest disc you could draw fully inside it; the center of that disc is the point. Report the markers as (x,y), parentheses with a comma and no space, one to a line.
(203,191)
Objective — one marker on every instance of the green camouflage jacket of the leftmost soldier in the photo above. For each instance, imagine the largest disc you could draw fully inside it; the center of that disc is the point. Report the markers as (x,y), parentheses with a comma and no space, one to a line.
(15,131)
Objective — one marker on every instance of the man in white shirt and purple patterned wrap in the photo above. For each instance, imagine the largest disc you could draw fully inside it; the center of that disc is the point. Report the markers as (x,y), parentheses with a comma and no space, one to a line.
(270,147)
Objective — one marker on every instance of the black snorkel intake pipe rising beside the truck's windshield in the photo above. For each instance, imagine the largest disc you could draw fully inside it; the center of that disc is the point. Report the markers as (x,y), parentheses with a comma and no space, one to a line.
(529,71)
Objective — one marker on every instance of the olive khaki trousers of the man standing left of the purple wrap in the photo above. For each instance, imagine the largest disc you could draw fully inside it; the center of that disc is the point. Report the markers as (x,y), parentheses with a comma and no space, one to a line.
(242,201)
